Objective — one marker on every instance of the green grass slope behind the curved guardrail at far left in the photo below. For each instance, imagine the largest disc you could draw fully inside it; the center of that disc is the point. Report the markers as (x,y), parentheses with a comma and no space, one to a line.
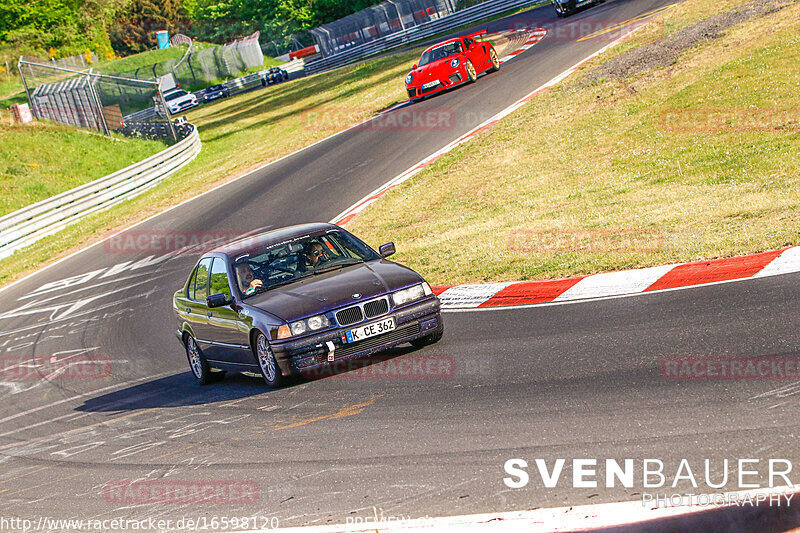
(40,160)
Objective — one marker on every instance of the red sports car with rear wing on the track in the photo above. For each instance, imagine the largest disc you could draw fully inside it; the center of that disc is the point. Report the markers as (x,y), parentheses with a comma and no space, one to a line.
(450,63)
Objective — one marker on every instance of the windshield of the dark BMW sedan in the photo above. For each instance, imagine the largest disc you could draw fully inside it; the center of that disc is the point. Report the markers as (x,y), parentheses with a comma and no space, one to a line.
(279,264)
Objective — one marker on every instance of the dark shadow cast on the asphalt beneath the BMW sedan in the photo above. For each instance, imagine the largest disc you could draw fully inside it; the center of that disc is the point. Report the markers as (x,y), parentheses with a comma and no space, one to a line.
(181,390)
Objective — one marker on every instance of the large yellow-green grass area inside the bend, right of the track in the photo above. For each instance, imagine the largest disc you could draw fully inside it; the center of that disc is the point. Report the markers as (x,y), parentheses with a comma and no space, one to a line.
(697,160)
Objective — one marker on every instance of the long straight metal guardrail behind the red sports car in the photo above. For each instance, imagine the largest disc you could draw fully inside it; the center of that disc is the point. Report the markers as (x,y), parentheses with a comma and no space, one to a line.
(429,29)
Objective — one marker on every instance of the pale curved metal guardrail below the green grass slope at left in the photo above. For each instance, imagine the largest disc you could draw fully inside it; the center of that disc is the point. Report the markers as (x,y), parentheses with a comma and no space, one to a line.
(24,227)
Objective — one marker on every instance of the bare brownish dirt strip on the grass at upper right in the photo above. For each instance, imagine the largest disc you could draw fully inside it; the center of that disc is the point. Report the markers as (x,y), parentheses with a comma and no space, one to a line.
(666,51)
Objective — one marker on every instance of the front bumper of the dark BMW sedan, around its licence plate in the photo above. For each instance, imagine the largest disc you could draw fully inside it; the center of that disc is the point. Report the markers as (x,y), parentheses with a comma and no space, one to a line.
(309,353)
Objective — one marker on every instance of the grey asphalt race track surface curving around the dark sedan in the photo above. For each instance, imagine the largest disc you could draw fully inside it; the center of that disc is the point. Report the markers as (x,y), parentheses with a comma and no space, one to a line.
(570,381)
